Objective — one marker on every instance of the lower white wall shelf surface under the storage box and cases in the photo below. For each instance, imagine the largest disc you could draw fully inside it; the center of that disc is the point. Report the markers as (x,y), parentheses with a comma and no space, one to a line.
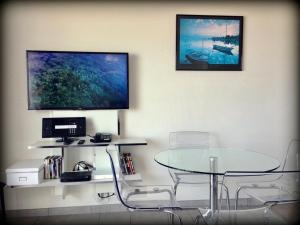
(56,182)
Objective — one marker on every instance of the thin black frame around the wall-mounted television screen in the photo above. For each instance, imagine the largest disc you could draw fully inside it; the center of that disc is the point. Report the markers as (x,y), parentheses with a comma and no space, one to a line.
(77,108)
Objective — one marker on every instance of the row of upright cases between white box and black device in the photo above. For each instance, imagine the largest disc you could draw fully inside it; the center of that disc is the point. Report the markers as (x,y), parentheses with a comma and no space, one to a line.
(53,167)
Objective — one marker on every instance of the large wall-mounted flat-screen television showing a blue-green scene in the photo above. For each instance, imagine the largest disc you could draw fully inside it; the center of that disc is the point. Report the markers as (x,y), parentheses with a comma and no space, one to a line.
(77,80)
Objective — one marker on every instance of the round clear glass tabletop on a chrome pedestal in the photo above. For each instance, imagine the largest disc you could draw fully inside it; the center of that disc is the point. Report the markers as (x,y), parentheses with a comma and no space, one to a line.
(227,159)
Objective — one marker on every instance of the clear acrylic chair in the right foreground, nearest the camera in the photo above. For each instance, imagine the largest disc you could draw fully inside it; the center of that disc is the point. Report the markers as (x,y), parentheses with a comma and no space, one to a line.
(284,190)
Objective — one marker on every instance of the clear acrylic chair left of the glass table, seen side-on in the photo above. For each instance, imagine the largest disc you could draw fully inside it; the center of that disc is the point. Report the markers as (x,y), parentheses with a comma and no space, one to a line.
(159,198)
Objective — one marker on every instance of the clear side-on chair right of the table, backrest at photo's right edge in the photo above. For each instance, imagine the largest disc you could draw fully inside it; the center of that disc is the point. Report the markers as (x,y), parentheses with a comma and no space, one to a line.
(290,162)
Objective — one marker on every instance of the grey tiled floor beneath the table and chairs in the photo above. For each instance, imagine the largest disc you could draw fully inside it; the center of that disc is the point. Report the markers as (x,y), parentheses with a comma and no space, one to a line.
(140,218)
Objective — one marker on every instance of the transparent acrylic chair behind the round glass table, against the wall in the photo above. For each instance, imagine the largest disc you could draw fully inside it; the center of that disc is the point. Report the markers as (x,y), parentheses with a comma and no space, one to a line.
(190,139)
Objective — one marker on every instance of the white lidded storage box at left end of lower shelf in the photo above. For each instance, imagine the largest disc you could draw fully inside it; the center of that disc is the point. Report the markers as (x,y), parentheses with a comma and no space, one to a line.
(26,172)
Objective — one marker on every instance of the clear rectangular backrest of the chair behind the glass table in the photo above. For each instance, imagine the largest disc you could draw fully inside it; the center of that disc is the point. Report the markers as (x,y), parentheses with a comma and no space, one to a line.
(189,139)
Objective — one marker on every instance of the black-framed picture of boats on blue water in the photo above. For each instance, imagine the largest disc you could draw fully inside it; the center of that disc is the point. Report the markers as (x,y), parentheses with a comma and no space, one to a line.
(209,42)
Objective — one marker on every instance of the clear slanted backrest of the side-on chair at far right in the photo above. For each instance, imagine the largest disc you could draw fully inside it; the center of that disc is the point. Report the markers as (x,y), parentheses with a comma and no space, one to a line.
(291,161)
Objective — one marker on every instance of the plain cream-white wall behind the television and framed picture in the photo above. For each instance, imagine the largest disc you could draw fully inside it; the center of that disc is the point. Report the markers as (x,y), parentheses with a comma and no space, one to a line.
(254,108)
